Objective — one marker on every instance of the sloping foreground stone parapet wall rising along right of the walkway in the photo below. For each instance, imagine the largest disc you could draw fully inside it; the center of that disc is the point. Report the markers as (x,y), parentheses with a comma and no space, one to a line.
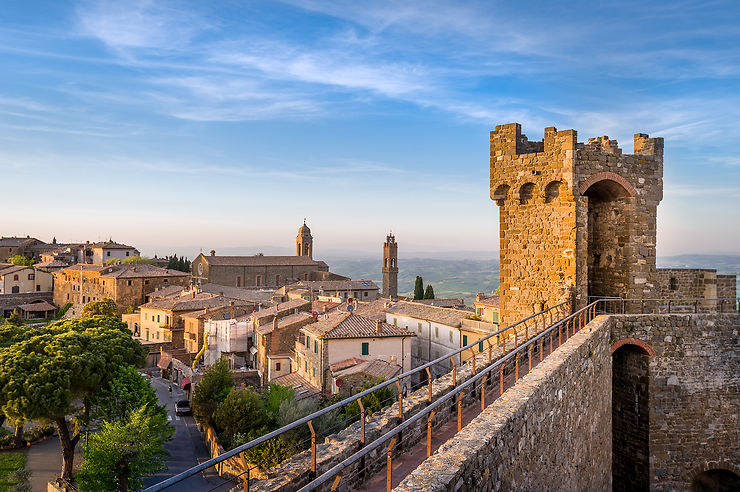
(552,430)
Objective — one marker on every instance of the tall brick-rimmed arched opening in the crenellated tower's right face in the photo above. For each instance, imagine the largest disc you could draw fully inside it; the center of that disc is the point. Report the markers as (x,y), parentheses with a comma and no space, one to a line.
(610,217)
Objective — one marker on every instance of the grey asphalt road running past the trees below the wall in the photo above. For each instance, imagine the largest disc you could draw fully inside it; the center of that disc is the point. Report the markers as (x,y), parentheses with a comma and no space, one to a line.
(186,449)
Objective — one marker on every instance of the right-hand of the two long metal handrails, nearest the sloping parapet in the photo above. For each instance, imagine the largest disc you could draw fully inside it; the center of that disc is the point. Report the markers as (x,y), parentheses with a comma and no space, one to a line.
(336,469)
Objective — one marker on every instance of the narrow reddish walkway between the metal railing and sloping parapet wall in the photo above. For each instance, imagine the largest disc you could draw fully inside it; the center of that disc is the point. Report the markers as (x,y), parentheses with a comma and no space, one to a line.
(411,458)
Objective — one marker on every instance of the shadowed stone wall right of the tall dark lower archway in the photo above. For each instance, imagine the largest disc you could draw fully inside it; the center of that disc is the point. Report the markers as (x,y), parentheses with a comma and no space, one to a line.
(694,387)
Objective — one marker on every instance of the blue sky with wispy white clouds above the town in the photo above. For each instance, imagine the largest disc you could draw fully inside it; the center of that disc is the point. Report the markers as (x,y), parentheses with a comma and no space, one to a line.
(181,126)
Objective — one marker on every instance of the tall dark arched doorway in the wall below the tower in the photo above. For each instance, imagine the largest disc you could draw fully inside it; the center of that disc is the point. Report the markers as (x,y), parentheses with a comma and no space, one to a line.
(630,417)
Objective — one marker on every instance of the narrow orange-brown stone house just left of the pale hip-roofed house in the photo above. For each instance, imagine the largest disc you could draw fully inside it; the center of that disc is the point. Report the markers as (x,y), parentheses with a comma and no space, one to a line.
(275,342)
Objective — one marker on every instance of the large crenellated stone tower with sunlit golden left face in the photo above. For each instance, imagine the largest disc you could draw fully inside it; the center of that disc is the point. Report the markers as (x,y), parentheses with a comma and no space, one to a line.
(577,220)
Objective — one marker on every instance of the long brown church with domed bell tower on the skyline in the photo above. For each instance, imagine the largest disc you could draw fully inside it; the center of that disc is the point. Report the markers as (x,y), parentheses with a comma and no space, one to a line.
(261,270)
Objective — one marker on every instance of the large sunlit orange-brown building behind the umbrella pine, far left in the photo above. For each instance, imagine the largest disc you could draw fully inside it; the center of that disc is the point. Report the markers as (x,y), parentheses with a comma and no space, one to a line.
(127,285)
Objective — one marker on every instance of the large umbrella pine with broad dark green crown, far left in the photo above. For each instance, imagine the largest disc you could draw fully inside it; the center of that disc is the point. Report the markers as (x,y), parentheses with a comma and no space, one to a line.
(44,371)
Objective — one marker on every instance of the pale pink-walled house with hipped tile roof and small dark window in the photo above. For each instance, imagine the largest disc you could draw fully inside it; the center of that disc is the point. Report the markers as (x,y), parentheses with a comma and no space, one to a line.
(339,336)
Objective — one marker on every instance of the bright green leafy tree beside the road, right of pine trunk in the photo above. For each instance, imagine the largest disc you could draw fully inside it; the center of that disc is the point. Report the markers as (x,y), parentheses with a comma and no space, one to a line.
(122,453)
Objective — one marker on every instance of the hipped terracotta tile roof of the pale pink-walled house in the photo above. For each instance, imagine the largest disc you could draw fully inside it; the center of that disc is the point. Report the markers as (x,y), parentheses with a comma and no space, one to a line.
(344,325)
